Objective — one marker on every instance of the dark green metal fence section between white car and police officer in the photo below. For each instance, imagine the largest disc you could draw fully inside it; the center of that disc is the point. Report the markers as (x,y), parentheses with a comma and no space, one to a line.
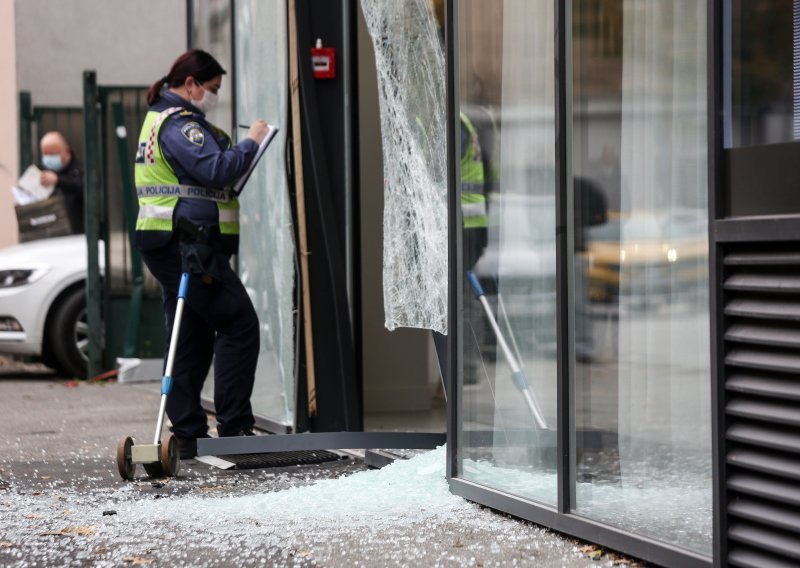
(124,301)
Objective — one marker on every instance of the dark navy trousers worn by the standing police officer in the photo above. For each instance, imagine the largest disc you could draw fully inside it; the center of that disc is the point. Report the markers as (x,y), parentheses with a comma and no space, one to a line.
(219,322)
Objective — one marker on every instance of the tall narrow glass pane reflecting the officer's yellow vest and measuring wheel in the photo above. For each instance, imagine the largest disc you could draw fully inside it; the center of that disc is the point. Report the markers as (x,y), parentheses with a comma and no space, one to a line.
(506,96)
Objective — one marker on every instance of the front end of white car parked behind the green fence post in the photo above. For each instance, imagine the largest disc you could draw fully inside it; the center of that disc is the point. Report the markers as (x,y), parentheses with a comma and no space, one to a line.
(43,302)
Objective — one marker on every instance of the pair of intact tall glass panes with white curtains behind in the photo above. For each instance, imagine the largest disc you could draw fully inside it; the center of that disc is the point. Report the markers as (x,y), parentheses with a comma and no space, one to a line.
(637,363)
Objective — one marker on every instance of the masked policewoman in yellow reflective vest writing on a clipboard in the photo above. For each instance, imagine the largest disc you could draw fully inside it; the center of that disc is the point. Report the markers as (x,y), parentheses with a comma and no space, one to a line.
(189,222)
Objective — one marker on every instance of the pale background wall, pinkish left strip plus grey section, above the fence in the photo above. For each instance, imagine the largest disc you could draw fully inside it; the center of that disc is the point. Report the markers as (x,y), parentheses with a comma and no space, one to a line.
(45,46)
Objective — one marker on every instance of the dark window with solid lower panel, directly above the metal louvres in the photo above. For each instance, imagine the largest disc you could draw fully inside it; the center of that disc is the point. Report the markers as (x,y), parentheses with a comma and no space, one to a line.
(761,103)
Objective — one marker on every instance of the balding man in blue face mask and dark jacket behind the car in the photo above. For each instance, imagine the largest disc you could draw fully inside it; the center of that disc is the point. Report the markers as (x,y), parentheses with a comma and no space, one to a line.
(60,168)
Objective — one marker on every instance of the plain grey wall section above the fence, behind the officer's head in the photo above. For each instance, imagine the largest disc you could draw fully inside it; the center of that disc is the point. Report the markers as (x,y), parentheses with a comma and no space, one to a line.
(125,42)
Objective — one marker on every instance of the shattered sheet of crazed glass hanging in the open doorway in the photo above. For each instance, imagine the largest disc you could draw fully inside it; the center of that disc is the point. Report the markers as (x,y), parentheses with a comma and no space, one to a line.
(411,84)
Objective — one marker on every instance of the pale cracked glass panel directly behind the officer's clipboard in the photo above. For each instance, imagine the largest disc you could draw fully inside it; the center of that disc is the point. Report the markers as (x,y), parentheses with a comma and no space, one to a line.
(267,251)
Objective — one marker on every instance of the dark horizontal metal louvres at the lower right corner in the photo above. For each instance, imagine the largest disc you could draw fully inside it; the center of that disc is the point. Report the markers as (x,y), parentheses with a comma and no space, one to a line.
(761,303)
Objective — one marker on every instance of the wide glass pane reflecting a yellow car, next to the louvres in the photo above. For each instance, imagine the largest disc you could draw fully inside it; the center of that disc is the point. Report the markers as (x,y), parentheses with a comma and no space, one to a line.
(640,316)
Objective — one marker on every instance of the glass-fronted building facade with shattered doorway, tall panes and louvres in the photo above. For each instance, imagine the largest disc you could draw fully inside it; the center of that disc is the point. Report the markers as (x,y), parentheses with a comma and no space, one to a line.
(622,323)
